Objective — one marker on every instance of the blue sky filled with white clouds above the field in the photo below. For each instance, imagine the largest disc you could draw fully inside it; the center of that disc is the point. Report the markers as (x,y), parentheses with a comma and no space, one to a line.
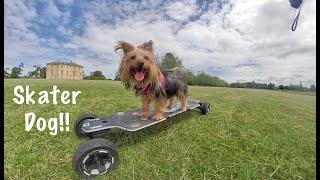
(236,40)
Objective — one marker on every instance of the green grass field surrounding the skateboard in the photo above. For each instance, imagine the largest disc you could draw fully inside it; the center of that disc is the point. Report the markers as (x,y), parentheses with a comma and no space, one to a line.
(249,134)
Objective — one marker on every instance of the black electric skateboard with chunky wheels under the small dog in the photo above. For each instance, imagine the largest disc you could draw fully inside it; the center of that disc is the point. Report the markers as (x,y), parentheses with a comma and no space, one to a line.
(99,156)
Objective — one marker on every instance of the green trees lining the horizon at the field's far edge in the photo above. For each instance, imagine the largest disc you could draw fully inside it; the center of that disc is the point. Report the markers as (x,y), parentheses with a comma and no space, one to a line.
(168,61)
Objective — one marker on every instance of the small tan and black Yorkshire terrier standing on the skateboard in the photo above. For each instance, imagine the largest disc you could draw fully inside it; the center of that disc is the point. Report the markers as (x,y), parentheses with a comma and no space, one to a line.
(139,71)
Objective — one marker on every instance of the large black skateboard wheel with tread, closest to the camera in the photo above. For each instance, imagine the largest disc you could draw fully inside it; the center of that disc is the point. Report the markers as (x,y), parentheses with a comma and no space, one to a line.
(95,157)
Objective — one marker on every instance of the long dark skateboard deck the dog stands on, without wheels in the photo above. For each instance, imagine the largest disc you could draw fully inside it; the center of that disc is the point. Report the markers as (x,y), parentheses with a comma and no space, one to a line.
(131,121)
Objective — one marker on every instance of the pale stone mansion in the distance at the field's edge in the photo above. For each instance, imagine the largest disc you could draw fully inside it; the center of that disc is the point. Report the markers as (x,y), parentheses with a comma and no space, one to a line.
(64,70)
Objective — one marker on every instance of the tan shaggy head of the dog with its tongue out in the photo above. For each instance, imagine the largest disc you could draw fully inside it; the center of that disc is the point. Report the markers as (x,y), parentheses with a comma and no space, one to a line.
(138,66)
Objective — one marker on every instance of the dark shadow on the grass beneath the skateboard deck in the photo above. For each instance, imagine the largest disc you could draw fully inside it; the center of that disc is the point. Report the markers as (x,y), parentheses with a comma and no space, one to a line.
(125,138)
